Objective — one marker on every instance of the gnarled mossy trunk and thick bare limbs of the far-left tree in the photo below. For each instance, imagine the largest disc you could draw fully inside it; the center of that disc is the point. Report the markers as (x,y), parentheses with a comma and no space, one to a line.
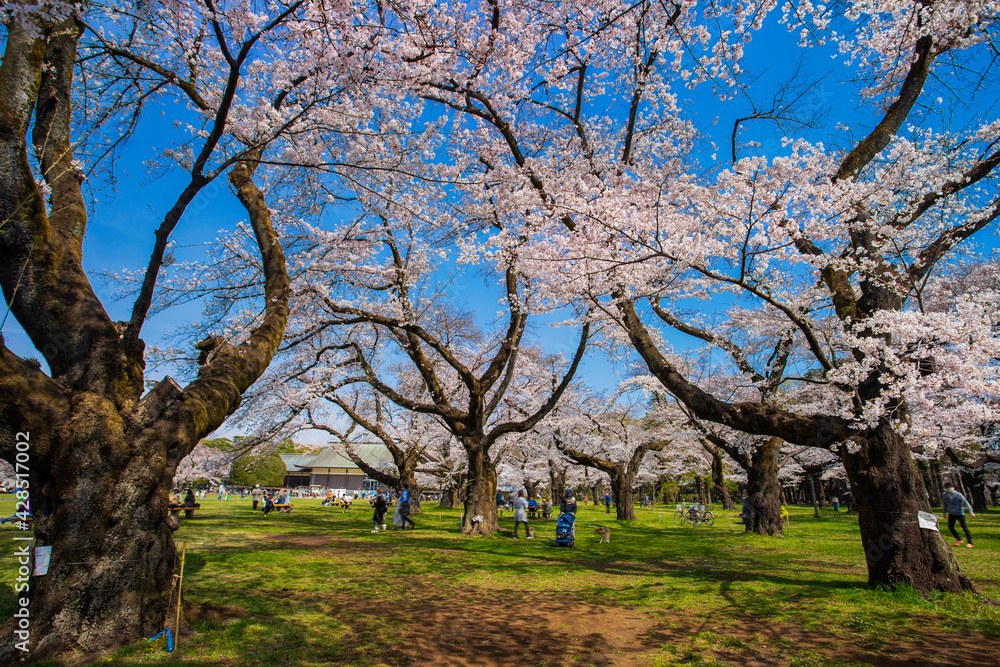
(102,454)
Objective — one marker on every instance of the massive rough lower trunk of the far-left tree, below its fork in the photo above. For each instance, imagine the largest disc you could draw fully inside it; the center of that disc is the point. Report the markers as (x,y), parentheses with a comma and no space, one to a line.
(103,511)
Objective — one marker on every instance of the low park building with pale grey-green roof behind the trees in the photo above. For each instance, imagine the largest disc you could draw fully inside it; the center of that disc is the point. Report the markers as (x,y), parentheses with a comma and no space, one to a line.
(330,469)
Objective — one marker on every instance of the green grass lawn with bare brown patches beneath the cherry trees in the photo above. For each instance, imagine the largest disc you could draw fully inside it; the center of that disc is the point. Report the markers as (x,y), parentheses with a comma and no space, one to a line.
(315,587)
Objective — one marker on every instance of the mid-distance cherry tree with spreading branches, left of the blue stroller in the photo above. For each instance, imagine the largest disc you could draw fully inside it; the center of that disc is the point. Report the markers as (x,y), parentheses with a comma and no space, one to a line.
(370,304)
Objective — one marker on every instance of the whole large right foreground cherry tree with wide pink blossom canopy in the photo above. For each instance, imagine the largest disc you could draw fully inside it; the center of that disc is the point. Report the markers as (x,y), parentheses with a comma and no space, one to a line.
(572,128)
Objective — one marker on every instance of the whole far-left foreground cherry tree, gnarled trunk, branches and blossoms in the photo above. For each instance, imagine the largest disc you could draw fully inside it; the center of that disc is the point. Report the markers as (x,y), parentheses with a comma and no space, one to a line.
(248,82)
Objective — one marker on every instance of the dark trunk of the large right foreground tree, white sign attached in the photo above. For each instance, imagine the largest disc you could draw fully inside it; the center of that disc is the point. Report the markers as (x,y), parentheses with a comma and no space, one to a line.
(888,492)
